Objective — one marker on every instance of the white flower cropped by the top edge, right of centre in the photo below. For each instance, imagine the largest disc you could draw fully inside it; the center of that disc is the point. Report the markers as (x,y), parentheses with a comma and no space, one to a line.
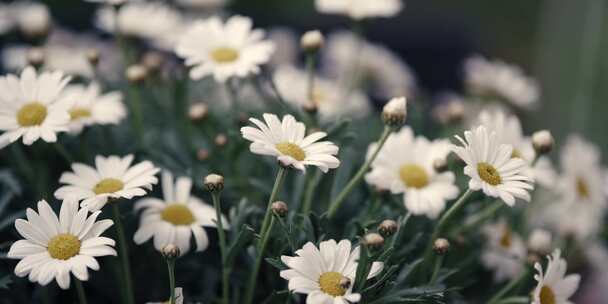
(360,9)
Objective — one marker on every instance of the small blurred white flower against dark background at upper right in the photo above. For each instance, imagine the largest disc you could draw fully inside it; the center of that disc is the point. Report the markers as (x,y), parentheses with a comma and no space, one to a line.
(497,79)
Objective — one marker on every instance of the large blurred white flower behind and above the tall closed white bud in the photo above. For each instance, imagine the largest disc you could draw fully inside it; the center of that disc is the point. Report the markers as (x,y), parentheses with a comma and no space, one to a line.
(354,61)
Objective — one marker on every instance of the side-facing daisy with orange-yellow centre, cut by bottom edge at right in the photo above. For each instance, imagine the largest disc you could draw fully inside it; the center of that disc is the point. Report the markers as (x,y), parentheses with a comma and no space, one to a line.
(554,286)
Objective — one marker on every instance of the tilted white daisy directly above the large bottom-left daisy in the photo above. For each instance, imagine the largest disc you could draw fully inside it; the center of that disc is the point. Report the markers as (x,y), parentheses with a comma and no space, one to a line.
(113,177)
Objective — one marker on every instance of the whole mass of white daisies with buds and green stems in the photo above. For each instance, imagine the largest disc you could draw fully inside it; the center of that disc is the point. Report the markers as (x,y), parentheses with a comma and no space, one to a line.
(178,153)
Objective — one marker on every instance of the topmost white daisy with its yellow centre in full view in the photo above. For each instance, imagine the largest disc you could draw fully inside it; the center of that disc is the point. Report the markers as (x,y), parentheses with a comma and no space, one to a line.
(224,49)
